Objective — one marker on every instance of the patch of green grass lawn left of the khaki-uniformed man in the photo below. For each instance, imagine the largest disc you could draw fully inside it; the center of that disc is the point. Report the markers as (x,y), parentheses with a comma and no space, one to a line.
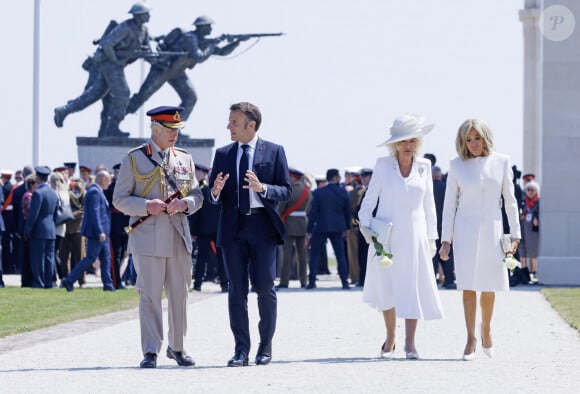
(24,309)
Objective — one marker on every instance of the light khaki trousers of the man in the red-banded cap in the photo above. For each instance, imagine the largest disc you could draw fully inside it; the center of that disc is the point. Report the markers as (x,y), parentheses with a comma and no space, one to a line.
(154,274)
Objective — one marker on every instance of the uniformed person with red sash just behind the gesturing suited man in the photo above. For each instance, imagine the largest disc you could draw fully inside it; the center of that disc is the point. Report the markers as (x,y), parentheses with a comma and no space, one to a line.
(293,214)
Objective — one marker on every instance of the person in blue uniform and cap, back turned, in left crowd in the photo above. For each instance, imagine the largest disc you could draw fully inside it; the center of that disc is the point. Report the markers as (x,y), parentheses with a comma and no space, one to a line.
(40,230)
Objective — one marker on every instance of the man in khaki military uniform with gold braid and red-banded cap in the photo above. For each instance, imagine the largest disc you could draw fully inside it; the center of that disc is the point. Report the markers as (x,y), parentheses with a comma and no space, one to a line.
(157,179)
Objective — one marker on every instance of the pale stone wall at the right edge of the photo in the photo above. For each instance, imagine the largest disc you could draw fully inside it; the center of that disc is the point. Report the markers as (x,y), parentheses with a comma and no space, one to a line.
(559,260)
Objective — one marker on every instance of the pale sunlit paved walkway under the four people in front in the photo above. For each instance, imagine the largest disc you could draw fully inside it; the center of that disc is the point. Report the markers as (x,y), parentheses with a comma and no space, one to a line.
(327,341)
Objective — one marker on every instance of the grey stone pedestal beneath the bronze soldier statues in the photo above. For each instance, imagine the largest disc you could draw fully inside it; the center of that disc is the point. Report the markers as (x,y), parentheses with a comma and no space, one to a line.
(93,151)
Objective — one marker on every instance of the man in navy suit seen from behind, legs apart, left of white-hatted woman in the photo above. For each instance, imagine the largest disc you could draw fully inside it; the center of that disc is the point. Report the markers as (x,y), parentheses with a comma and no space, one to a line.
(329,218)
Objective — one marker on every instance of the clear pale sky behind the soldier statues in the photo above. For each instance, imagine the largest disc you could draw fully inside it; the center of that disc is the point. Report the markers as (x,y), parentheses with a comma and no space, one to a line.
(328,89)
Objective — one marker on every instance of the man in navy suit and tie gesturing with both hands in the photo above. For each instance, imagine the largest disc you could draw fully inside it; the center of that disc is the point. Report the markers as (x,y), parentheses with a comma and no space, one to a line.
(250,228)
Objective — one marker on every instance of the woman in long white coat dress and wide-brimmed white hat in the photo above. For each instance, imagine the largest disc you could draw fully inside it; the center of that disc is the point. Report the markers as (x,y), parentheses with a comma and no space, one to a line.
(401,189)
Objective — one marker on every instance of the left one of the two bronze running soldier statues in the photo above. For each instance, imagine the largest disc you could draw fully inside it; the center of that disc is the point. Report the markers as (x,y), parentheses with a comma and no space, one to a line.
(116,50)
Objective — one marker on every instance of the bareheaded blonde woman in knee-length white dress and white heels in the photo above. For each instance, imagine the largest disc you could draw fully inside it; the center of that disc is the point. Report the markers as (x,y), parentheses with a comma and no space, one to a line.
(476,181)
